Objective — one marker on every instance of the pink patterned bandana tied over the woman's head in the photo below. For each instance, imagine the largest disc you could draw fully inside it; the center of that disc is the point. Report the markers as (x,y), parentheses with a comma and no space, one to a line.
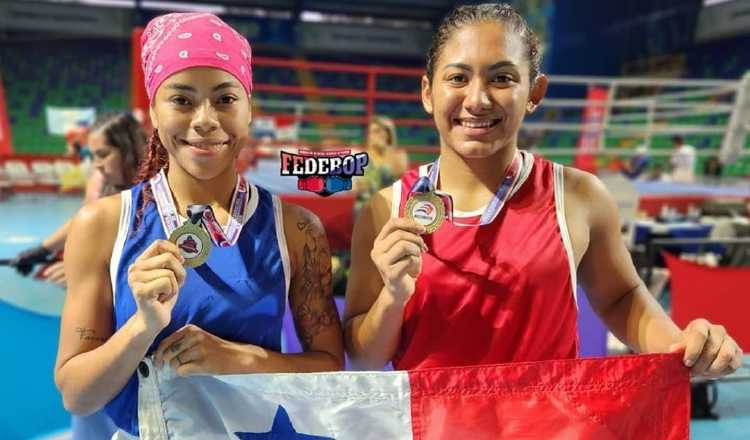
(178,41)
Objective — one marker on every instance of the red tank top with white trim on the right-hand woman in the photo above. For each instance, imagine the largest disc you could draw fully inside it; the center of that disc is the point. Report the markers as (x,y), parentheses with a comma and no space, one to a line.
(502,292)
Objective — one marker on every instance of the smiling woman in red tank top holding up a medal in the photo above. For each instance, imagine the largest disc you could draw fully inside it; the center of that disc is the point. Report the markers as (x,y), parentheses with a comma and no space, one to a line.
(496,282)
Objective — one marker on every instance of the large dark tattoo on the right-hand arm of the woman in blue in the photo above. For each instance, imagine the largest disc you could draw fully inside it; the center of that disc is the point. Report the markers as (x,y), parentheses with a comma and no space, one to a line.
(311,300)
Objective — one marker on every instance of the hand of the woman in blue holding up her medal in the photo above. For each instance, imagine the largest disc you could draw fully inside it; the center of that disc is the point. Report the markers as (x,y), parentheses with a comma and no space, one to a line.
(155,278)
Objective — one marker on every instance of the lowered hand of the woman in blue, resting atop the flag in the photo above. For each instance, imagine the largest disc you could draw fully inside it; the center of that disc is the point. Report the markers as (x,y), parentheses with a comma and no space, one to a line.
(192,350)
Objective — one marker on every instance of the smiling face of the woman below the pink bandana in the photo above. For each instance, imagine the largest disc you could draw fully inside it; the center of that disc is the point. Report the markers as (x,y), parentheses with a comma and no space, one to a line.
(202,116)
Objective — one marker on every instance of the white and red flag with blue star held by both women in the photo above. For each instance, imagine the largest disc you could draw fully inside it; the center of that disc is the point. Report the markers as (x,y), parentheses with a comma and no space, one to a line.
(630,397)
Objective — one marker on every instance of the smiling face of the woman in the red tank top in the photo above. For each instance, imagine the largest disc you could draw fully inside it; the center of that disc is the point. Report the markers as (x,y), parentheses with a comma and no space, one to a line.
(480,90)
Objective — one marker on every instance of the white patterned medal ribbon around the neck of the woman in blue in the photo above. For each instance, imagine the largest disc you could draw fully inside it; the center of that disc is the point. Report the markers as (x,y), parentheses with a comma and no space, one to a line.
(203,213)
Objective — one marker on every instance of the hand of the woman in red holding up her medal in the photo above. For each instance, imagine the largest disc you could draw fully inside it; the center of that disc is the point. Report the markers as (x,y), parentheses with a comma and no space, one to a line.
(397,253)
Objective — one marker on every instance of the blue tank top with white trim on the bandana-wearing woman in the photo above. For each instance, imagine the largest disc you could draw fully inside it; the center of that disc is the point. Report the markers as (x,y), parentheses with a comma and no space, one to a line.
(239,294)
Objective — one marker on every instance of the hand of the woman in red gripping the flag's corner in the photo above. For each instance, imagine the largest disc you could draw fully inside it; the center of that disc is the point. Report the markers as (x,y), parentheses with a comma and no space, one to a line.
(709,351)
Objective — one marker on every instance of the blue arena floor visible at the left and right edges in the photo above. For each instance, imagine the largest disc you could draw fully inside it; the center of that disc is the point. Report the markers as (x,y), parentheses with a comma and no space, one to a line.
(29,323)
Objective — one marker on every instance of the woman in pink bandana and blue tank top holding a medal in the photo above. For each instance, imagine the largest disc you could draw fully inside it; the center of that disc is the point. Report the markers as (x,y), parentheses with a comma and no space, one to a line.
(211,300)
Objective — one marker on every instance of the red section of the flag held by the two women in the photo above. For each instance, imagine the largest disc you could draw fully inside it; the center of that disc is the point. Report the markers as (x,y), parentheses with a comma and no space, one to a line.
(628,397)
